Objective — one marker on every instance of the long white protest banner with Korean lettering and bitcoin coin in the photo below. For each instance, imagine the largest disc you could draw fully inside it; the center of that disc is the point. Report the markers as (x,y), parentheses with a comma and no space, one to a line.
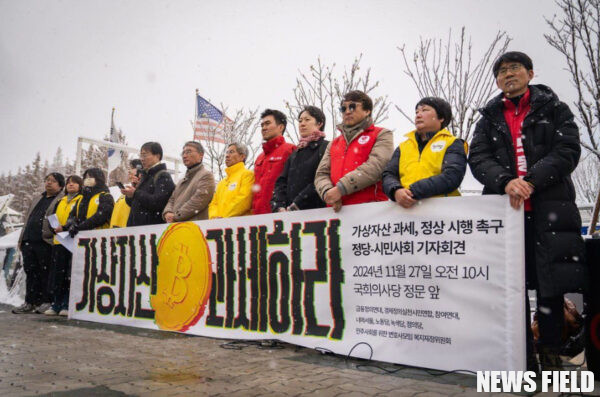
(440,285)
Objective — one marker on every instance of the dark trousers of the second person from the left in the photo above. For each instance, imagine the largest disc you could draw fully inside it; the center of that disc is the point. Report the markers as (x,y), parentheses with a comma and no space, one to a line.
(60,277)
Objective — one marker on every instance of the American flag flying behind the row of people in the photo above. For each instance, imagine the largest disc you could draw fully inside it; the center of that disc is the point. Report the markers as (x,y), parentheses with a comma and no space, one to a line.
(210,122)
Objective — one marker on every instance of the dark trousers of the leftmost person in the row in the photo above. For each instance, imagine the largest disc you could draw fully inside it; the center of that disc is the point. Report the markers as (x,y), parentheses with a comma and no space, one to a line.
(36,262)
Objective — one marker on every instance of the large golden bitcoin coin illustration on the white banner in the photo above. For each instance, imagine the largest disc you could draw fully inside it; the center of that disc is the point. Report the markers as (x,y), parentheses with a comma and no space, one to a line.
(184,277)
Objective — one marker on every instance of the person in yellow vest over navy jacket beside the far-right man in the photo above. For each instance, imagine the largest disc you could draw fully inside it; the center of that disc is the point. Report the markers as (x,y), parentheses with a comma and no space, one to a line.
(430,161)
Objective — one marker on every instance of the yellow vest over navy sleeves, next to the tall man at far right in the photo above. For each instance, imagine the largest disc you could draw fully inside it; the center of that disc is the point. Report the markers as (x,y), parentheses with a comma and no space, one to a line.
(414,166)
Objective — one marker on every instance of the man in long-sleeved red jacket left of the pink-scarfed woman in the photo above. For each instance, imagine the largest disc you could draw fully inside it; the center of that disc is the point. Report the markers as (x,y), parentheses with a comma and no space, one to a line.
(270,162)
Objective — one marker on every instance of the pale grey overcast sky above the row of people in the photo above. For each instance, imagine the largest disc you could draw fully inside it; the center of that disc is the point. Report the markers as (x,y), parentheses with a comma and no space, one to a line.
(65,64)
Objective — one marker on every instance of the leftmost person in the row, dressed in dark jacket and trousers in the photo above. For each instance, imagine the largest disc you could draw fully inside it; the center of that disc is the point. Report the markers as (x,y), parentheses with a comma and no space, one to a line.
(35,249)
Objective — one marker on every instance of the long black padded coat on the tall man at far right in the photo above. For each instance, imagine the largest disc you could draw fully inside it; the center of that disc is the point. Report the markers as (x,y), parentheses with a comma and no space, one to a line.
(551,145)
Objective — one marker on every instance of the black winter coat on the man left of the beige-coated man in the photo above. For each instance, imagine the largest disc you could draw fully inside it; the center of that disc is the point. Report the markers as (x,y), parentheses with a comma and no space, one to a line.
(150,197)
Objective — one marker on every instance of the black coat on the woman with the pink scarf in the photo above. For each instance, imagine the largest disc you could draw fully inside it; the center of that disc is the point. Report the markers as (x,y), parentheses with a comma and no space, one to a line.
(296,182)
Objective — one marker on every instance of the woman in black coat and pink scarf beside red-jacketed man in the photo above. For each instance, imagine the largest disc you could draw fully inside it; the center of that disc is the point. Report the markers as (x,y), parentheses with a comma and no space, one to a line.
(295,188)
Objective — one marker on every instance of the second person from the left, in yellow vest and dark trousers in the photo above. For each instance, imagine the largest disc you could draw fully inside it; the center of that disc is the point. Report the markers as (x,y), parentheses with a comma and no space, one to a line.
(60,272)
